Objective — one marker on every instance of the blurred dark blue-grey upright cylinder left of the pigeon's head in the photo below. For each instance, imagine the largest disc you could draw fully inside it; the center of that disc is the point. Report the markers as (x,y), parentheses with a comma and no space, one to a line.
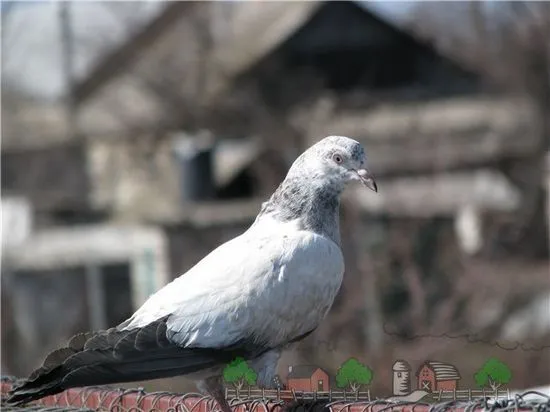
(194,156)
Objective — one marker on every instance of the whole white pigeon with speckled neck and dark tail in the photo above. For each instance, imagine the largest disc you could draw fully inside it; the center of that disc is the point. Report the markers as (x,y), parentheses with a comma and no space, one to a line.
(250,297)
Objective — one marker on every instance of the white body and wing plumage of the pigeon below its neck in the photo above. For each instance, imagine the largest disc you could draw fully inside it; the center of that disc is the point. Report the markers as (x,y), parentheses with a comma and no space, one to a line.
(271,284)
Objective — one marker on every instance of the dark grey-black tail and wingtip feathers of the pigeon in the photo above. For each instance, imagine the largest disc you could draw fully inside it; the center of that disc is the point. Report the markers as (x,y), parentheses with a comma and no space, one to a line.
(115,356)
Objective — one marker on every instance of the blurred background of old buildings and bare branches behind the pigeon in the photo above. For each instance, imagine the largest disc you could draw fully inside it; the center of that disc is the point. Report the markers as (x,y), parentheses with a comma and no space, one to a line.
(138,136)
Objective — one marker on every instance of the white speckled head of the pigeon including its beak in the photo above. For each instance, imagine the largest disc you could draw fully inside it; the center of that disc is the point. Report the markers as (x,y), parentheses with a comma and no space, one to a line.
(337,160)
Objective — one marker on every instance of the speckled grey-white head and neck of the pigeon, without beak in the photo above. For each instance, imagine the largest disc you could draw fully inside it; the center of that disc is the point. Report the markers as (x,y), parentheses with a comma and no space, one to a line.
(313,185)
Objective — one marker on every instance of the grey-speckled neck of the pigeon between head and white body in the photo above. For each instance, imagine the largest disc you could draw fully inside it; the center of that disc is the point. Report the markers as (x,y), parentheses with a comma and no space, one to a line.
(314,202)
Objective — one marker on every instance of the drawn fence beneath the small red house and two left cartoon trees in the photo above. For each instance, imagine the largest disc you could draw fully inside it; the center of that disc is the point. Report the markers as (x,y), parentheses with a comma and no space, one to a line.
(285,395)
